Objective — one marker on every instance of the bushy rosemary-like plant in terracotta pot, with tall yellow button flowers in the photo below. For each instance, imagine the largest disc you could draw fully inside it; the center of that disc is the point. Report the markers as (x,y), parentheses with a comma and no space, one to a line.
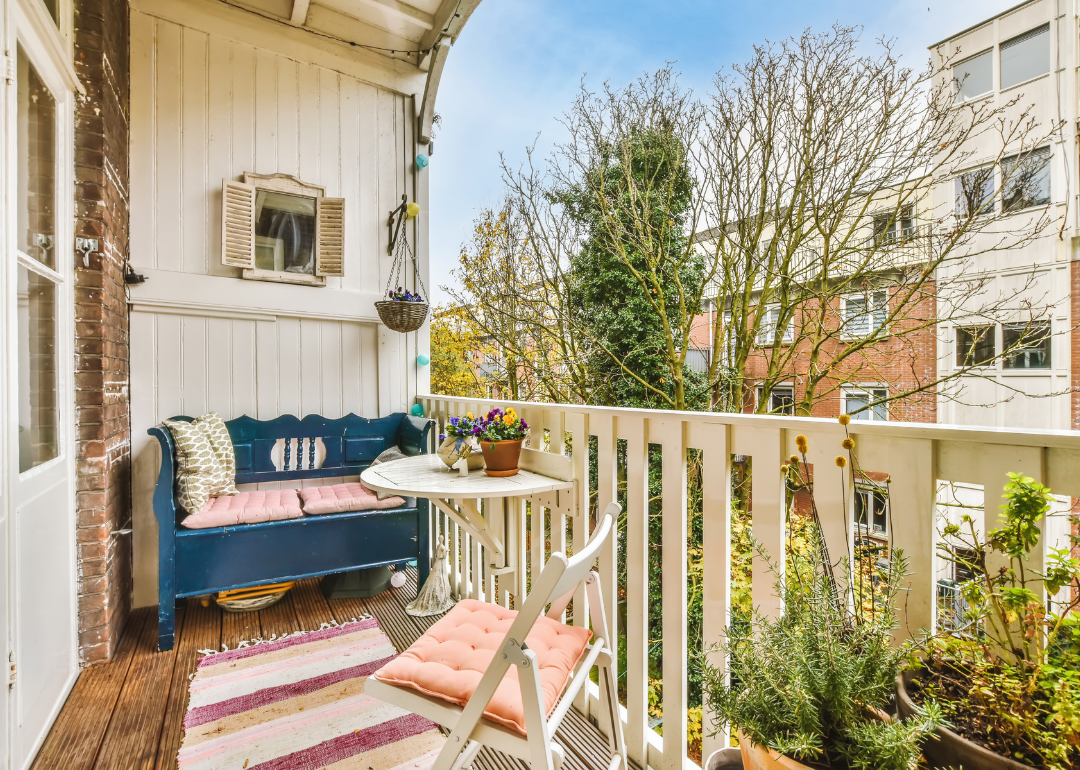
(808,690)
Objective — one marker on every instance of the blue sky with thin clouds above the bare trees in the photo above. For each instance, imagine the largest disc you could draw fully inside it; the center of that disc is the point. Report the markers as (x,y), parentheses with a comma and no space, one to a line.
(519,63)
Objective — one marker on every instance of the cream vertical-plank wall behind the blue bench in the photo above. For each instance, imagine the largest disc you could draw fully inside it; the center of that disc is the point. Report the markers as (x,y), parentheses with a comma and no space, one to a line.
(208,104)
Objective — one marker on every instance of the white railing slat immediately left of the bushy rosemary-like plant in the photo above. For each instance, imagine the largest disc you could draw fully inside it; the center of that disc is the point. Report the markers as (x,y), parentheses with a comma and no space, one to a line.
(673,590)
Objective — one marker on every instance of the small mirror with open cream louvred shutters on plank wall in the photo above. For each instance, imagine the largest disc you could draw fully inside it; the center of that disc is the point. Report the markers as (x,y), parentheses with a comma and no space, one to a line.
(278,228)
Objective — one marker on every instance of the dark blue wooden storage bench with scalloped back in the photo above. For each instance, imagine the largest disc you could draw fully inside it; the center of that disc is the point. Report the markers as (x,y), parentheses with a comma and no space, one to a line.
(194,562)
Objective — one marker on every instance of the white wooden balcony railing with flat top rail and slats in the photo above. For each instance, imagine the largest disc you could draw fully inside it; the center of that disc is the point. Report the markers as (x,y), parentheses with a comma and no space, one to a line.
(919,458)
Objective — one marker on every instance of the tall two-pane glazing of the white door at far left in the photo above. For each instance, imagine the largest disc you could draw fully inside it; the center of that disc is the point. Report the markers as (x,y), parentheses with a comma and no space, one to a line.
(37,280)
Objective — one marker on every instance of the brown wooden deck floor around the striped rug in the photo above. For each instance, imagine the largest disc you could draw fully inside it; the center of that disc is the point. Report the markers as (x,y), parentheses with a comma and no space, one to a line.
(128,713)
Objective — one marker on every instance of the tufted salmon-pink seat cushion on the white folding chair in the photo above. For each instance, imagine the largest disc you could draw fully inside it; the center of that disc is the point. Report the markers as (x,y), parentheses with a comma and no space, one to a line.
(450,660)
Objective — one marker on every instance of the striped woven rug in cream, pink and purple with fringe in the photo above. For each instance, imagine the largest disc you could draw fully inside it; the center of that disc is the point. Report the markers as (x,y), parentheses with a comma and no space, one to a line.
(300,704)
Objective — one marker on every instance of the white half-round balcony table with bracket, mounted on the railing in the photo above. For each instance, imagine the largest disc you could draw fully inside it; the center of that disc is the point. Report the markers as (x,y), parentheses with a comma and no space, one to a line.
(428,477)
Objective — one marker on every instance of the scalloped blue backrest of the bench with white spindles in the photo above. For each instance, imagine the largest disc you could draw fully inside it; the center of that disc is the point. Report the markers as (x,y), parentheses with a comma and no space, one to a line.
(315,448)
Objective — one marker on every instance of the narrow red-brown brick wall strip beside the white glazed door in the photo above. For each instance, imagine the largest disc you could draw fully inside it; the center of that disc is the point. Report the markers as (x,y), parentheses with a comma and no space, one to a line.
(104,438)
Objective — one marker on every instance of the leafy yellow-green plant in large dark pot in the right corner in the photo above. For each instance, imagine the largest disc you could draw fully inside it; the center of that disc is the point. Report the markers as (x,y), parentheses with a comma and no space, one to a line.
(1008,676)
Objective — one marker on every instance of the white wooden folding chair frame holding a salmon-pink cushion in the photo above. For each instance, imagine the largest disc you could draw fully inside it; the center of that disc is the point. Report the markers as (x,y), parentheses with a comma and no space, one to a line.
(470,731)
